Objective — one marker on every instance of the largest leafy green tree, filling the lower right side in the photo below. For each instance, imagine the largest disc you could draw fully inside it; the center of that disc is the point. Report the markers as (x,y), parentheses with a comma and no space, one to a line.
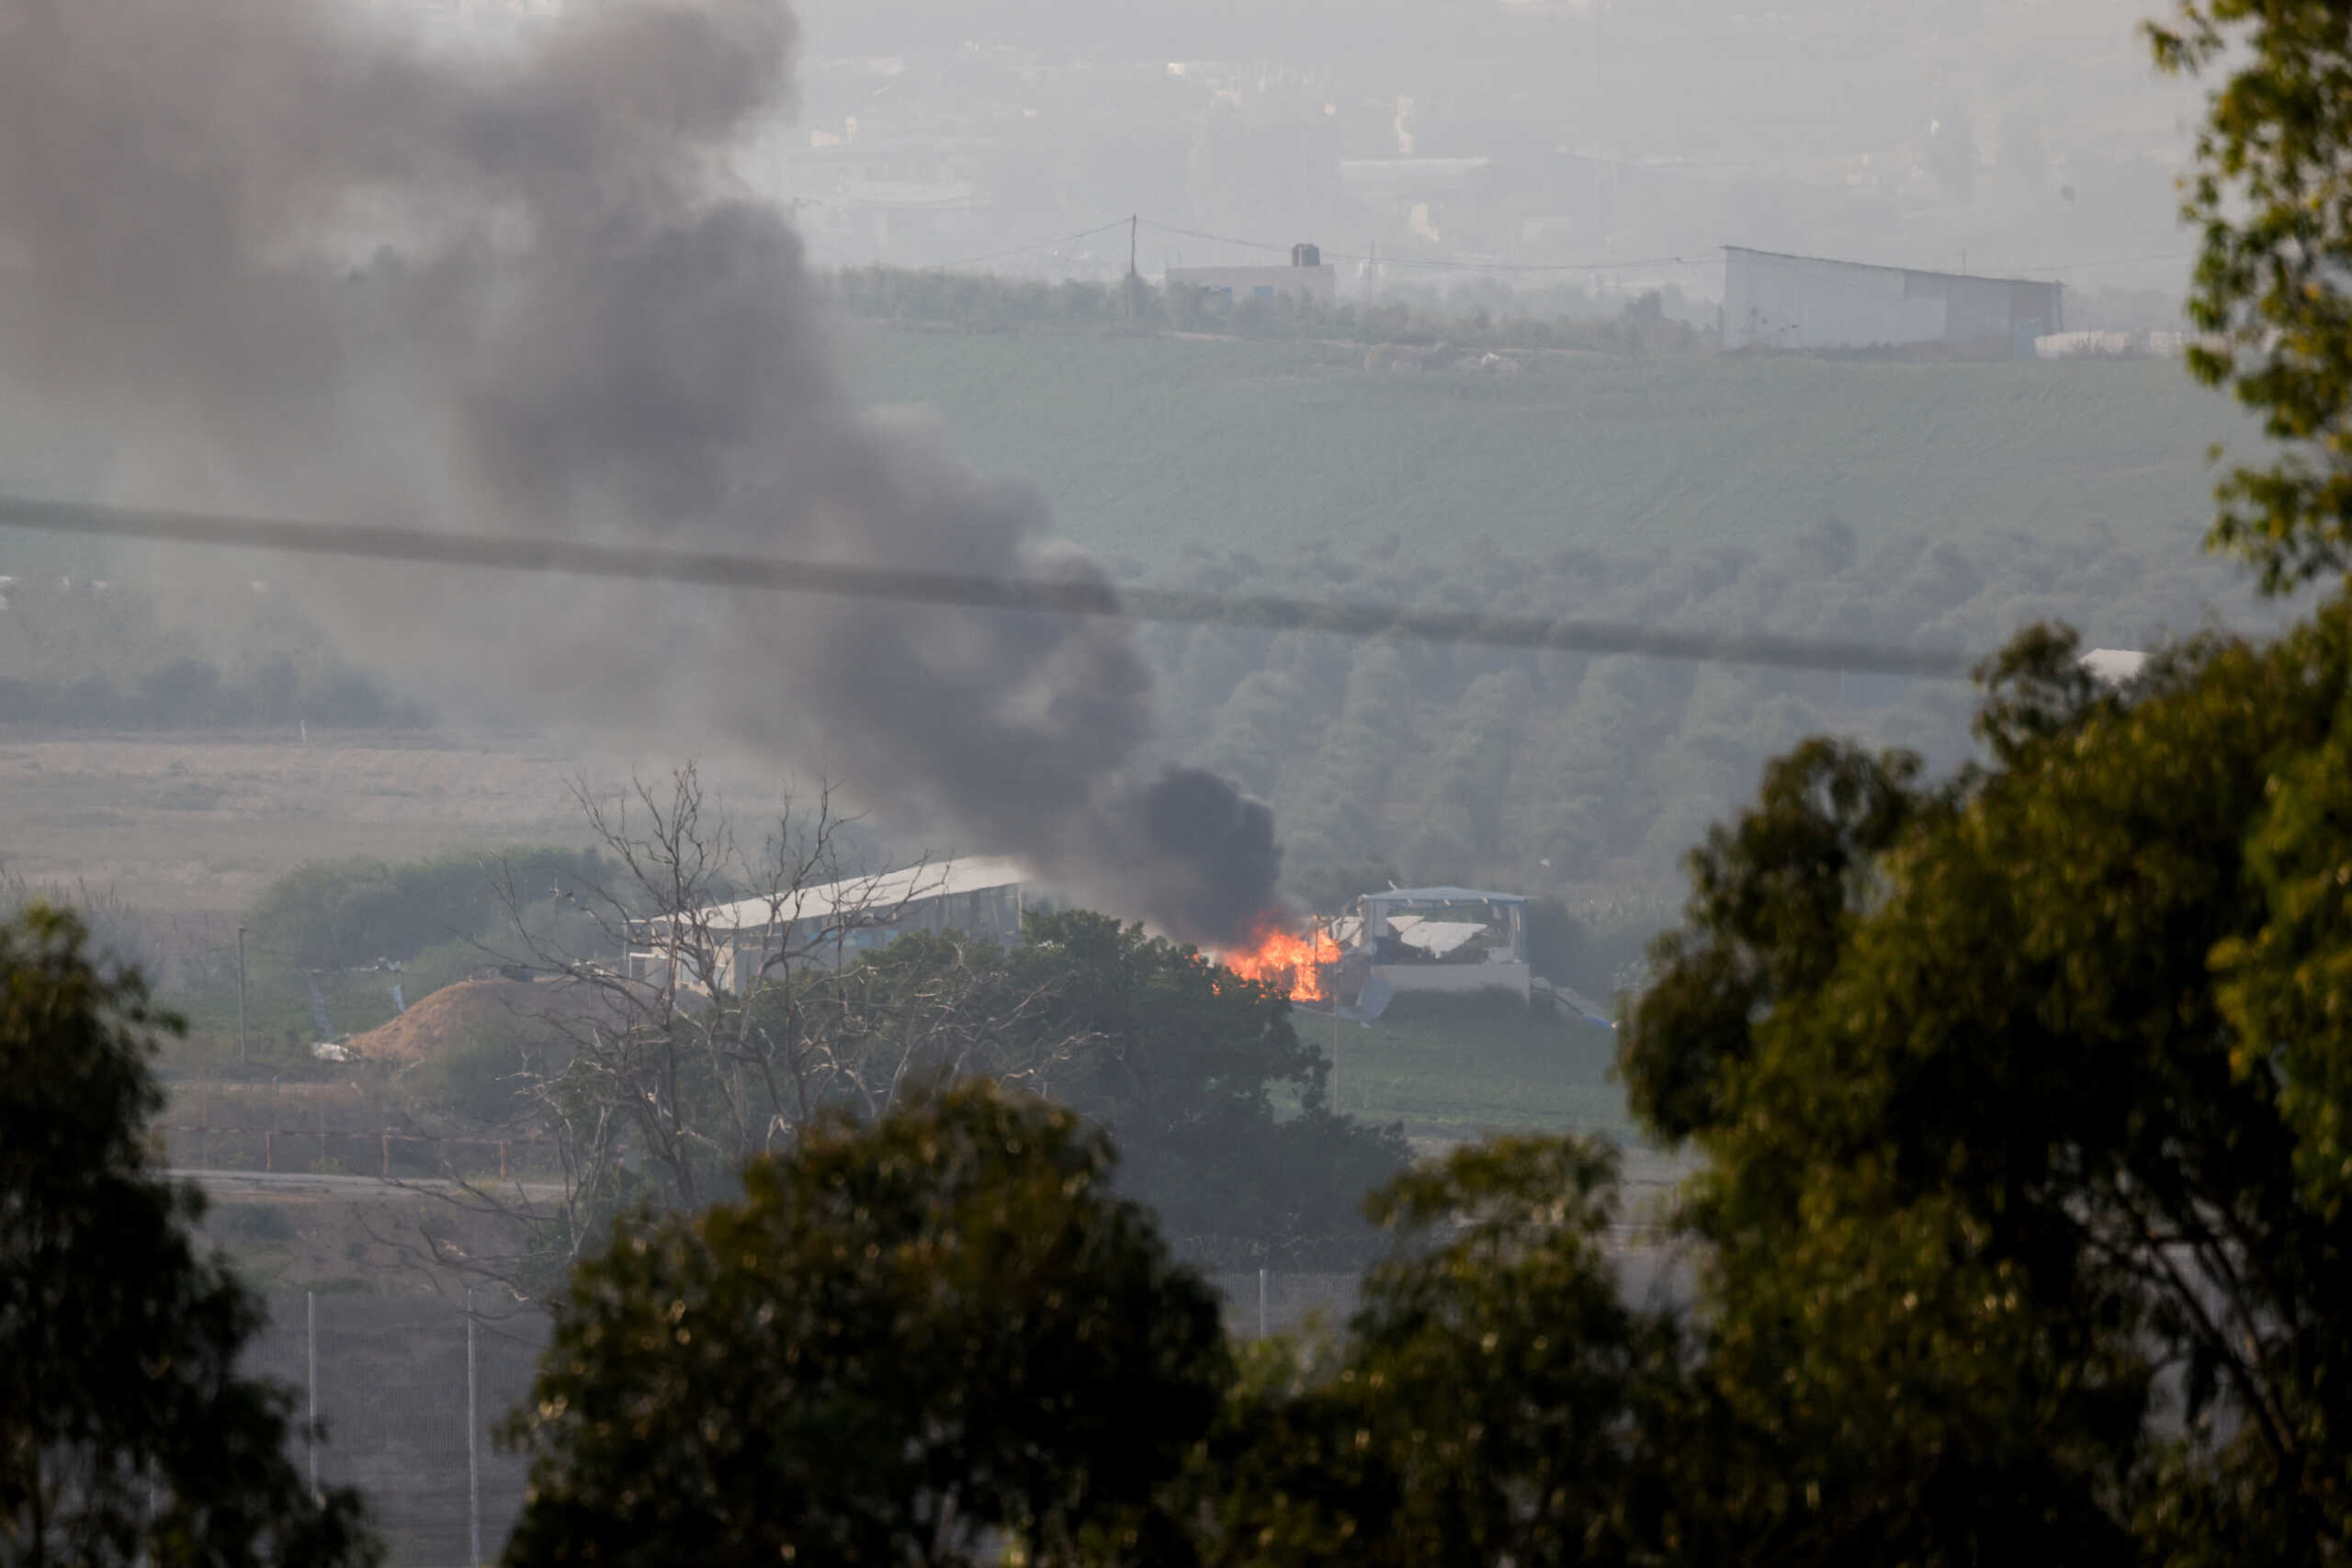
(2022,1202)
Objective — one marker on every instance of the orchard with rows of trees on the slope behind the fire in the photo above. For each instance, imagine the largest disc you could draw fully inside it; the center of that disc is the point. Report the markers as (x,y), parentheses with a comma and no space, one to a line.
(1572,775)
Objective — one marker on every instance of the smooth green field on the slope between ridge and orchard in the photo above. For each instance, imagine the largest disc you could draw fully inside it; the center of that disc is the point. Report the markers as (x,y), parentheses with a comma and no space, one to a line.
(1154,445)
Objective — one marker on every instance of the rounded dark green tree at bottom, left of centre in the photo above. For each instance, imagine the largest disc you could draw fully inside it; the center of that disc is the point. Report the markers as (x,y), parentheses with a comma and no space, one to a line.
(914,1341)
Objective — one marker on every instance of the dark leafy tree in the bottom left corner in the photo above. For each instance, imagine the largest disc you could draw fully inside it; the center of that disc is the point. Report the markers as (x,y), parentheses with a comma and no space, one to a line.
(126,1430)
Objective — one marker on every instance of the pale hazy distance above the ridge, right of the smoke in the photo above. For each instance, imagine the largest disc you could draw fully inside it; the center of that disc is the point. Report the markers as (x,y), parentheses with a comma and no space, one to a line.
(1998,138)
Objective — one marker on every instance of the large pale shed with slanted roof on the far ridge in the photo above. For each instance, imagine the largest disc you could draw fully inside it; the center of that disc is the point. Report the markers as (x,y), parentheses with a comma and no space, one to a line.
(1815,304)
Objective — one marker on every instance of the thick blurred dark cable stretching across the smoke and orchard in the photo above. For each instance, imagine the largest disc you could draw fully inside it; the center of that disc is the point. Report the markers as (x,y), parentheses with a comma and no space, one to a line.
(973,591)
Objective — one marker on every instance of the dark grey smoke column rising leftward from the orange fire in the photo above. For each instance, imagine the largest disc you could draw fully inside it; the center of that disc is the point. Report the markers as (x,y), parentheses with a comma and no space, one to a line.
(575,328)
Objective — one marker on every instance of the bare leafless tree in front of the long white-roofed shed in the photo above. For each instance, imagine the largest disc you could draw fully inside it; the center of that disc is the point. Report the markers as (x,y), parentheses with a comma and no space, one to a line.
(711,998)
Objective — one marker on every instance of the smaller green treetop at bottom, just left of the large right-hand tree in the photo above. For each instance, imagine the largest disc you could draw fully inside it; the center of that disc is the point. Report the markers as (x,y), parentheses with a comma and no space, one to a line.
(1495,1398)
